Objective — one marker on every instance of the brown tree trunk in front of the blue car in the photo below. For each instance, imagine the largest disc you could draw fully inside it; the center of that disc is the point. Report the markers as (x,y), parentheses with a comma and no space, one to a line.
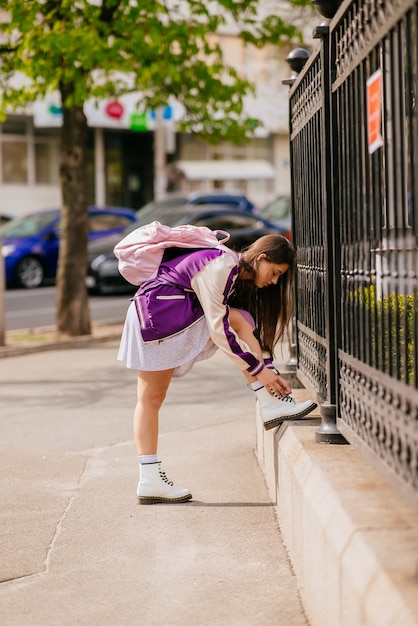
(72,305)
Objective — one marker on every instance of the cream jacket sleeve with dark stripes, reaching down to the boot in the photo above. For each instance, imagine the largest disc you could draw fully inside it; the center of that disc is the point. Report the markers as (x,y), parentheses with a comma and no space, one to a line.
(212,285)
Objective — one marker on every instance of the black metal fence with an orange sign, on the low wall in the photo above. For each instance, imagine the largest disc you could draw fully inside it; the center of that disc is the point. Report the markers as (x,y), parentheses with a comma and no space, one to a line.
(354,141)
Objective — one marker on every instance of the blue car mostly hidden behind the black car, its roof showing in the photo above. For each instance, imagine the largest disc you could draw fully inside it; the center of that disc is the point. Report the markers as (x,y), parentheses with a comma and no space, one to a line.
(177,200)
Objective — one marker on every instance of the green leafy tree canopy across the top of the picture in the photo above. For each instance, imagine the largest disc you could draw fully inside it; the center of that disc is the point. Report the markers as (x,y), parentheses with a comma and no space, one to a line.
(98,49)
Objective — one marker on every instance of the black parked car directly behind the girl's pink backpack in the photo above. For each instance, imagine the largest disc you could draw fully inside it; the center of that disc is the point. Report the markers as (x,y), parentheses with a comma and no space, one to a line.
(103,275)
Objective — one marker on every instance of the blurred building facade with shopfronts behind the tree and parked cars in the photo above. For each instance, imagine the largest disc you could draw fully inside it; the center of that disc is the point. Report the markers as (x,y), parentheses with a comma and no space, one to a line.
(121,155)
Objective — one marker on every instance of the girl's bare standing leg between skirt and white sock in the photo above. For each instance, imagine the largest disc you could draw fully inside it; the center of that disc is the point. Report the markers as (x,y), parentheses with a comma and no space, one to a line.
(151,391)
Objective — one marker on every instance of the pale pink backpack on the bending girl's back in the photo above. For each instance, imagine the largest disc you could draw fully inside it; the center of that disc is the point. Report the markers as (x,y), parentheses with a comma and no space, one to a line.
(141,251)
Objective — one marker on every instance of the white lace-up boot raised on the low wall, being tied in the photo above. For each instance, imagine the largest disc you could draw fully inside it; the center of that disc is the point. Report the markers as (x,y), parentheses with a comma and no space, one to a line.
(275,410)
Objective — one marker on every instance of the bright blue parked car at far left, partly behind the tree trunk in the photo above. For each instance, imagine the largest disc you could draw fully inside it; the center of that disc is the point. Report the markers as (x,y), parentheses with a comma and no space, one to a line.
(31,243)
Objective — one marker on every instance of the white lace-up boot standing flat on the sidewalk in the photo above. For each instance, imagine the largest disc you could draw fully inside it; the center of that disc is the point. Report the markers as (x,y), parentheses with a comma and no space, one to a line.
(154,486)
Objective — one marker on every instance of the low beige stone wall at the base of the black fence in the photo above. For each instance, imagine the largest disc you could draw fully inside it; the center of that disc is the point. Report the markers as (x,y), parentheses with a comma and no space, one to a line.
(351,537)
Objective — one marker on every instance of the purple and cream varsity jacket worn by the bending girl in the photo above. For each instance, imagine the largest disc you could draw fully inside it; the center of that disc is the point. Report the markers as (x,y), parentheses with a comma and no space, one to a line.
(187,288)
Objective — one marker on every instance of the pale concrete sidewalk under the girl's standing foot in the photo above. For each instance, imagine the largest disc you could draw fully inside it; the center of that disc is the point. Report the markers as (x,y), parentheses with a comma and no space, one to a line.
(77,549)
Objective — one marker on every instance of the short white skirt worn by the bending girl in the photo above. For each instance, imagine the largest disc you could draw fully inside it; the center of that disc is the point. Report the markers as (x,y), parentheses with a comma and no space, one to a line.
(179,352)
